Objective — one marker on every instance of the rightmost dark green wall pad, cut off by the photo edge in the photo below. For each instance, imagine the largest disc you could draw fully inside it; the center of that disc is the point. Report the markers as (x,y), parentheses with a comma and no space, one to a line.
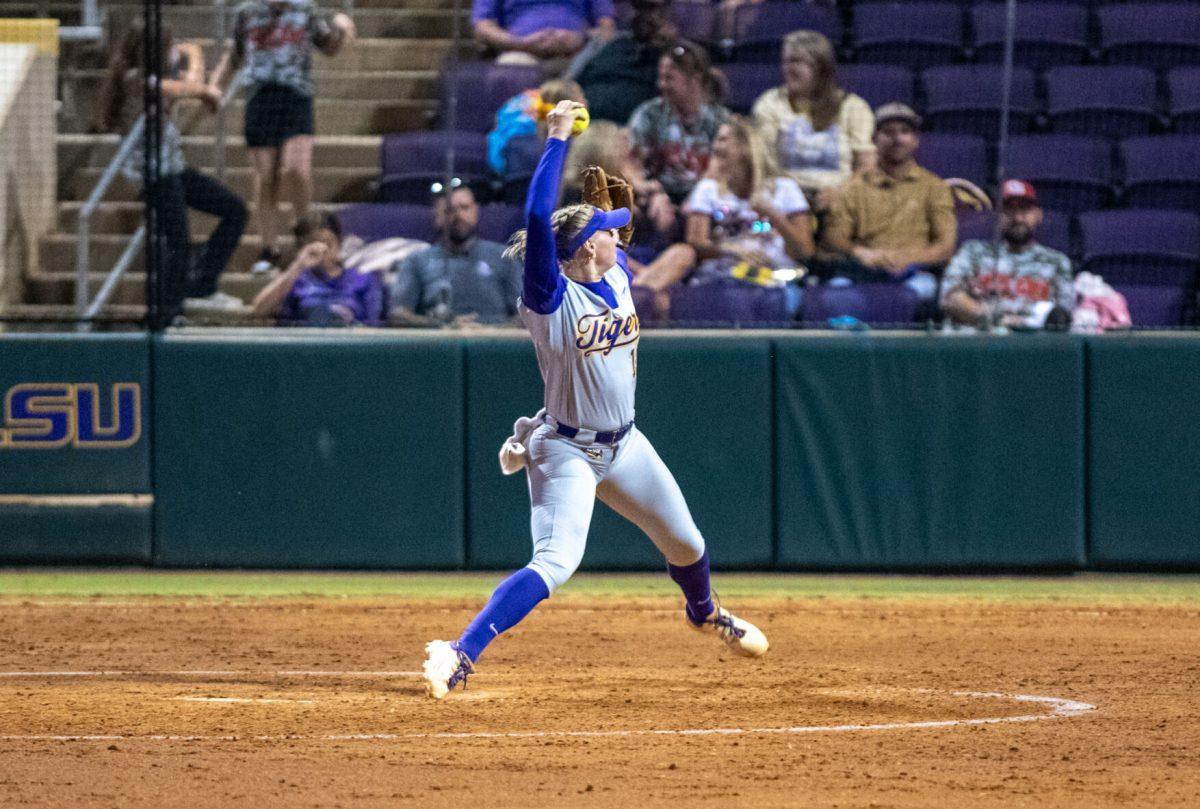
(1144,452)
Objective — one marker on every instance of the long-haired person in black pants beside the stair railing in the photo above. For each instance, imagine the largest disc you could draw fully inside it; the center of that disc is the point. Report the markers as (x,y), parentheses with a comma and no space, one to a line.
(178,188)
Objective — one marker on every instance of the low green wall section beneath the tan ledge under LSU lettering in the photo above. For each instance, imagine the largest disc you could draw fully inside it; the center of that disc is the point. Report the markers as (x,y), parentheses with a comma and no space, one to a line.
(85,535)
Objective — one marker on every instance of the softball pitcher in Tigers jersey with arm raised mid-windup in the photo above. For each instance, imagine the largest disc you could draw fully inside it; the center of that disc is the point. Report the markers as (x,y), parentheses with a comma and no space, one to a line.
(577,304)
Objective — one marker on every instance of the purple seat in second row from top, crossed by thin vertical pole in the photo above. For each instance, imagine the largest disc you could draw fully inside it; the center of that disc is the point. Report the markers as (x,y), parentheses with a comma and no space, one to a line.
(968,99)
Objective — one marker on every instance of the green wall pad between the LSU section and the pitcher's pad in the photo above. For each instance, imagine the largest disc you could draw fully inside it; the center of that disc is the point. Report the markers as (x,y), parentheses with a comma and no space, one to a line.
(309,452)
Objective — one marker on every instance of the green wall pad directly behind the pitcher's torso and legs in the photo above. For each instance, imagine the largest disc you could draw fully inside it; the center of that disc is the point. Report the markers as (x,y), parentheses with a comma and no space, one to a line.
(704,403)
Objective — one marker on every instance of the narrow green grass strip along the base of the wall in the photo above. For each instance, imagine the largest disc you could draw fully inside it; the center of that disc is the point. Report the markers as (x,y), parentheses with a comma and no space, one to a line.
(129,583)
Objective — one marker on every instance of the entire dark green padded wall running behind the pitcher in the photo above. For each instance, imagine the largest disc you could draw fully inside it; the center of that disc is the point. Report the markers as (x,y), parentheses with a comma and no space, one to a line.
(299,450)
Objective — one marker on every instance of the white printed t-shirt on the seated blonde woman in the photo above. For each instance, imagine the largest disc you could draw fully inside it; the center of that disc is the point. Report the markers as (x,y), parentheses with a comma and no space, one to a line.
(737,225)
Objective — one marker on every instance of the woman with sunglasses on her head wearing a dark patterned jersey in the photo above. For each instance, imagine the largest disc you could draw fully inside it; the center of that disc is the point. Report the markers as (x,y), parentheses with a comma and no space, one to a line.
(674,134)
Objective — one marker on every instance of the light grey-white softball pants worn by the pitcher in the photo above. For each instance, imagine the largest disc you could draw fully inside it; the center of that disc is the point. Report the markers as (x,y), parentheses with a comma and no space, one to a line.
(565,481)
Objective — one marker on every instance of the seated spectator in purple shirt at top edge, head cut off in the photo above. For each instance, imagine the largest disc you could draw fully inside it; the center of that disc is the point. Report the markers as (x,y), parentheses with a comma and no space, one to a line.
(525,32)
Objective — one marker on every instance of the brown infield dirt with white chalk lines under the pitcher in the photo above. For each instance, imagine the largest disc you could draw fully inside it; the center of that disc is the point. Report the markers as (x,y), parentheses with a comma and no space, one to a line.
(596,664)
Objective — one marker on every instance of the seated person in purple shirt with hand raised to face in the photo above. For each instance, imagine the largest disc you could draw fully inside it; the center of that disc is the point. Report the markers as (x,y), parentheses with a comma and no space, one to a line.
(317,290)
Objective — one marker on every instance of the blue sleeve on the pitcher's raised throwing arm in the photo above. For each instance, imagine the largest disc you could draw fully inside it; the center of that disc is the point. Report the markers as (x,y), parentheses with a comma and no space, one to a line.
(543,286)
